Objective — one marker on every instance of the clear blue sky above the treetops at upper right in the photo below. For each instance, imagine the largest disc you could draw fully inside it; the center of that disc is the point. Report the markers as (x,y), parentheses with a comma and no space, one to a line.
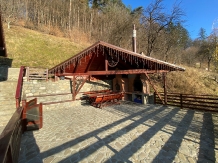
(198,13)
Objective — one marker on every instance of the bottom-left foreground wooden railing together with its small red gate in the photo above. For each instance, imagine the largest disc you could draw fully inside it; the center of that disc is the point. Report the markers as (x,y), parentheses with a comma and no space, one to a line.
(27,117)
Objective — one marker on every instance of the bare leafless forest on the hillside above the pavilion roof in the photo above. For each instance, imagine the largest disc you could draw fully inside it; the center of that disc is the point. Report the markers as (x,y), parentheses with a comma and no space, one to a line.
(160,34)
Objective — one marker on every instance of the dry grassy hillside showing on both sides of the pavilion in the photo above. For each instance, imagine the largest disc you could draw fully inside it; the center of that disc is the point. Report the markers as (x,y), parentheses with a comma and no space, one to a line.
(35,49)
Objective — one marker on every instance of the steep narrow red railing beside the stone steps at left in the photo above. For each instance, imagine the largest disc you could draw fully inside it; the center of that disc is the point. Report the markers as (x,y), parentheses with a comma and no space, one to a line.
(19,86)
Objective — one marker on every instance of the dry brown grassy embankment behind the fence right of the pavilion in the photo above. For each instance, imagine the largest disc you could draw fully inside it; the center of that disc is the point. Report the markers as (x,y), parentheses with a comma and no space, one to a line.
(191,81)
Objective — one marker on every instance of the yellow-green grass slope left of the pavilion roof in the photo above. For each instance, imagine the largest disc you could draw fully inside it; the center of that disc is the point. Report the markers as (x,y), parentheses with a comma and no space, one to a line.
(34,49)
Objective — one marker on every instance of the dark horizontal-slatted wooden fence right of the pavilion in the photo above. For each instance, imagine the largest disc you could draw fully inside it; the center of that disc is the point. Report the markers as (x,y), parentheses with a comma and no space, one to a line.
(200,102)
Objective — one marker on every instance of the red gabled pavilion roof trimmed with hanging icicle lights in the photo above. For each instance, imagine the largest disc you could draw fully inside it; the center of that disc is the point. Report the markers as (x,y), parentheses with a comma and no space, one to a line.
(94,59)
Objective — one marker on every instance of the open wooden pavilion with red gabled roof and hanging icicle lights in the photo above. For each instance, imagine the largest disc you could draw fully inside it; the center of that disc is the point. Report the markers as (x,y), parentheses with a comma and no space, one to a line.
(127,69)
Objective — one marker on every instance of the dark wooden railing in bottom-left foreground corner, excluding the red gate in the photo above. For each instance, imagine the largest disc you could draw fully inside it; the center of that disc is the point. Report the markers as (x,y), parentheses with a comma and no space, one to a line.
(10,138)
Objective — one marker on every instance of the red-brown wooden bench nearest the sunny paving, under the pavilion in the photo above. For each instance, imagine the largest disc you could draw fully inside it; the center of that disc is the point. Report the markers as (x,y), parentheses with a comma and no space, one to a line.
(106,99)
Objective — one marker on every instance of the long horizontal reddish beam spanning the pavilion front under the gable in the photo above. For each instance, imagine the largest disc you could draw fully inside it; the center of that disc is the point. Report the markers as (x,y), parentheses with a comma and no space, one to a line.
(113,72)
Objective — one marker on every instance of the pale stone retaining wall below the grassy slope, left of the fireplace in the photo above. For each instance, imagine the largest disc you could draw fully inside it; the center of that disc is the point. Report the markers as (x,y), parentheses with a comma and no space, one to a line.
(36,88)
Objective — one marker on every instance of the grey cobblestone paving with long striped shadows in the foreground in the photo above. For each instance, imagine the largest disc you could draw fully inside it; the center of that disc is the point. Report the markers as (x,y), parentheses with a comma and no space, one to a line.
(122,133)
